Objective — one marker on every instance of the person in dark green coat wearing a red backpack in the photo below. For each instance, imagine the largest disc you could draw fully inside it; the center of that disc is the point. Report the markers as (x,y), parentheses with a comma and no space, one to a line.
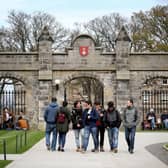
(63,120)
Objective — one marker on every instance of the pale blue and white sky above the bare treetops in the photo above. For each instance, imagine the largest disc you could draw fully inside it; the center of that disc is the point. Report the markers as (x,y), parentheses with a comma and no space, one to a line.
(68,12)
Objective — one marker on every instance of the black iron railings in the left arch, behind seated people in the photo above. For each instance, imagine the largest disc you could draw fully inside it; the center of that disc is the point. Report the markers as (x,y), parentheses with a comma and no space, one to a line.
(14,100)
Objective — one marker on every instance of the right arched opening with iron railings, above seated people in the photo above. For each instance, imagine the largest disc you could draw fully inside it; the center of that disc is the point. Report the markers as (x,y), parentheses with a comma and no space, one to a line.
(155,96)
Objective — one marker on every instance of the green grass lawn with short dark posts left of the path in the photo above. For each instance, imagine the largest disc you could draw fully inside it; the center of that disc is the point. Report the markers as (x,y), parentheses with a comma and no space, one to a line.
(10,136)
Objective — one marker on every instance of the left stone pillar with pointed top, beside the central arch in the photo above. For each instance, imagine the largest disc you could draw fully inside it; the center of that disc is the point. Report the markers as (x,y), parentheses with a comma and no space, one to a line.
(45,73)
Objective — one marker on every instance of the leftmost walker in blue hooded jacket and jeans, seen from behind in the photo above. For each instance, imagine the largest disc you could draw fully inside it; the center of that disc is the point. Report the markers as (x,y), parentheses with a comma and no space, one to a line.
(50,119)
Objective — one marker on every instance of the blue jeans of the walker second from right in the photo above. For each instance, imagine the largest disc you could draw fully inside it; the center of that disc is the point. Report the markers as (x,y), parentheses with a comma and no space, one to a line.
(113,137)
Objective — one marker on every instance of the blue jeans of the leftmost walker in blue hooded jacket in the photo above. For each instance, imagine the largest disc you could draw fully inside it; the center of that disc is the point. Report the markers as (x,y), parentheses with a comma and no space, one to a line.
(51,128)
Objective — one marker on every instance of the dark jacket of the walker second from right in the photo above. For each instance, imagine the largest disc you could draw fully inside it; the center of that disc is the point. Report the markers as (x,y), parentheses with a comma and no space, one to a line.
(112,118)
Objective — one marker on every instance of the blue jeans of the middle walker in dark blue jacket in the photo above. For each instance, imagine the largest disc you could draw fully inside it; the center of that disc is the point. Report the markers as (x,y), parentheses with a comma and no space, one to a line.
(87,131)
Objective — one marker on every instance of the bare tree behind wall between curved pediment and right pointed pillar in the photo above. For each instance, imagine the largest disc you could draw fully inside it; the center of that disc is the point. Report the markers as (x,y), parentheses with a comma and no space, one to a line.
(105,29)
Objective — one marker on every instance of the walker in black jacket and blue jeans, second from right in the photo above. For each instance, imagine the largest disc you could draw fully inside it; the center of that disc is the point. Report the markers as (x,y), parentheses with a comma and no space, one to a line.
(112,121)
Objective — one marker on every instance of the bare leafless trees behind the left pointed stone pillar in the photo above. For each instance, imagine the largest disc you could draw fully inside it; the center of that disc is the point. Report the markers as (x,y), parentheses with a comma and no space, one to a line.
(24,30)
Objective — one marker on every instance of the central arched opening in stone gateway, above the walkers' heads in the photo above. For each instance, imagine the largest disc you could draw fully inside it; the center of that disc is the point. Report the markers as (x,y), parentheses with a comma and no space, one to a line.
(83,88)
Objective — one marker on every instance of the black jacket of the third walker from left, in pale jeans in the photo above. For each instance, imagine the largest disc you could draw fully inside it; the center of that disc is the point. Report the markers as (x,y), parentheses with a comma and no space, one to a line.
(76,117)
